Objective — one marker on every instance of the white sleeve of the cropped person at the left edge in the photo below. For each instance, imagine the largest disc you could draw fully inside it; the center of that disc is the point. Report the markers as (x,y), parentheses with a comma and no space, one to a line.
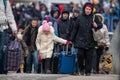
(10,17)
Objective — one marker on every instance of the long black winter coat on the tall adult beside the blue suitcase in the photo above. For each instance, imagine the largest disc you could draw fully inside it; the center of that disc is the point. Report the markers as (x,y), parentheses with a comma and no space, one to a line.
(82,35)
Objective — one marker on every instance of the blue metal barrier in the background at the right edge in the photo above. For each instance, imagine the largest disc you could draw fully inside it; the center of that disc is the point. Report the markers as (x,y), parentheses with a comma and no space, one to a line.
(111,22)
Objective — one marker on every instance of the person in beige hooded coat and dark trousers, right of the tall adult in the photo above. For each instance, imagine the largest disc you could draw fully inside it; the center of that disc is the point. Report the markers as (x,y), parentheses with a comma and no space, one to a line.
(102,44)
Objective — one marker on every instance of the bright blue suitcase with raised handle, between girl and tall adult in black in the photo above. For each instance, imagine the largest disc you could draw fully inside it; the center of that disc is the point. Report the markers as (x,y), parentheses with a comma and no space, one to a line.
(67,61)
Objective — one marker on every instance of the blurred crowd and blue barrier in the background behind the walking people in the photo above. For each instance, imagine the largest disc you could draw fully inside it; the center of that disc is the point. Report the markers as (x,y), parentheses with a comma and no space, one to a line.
(25,9)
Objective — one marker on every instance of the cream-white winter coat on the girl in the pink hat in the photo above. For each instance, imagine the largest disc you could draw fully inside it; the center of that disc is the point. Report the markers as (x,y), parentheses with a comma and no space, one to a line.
(45,43)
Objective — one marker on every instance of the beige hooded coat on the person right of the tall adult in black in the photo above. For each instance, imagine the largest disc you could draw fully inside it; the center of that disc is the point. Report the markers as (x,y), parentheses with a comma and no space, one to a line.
(103,34)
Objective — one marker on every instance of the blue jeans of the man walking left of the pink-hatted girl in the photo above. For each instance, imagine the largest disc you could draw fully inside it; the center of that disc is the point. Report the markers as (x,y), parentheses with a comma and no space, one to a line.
(32,58)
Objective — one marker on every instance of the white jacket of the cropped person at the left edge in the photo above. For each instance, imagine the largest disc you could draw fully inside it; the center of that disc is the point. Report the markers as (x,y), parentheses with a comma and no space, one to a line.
(7,16)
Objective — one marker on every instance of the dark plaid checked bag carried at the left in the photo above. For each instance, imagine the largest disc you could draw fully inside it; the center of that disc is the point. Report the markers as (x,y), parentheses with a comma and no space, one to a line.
(14,56)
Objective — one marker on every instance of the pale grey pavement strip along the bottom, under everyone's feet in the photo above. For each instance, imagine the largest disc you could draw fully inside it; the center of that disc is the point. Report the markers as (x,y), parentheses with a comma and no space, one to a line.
(18,76)
